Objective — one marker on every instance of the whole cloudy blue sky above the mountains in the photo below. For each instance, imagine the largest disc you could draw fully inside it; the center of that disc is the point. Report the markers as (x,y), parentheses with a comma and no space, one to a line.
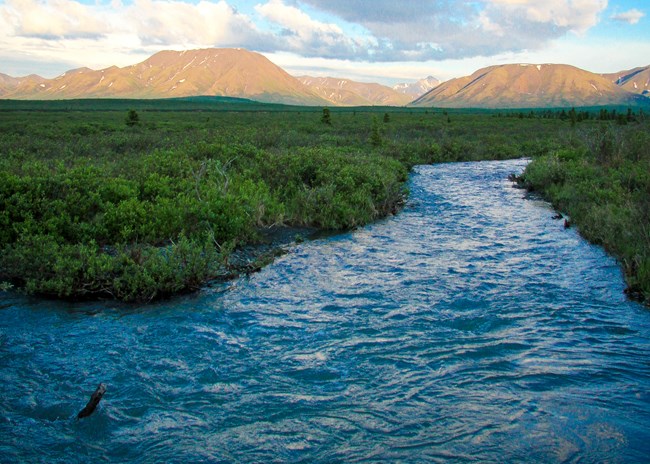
(385,41)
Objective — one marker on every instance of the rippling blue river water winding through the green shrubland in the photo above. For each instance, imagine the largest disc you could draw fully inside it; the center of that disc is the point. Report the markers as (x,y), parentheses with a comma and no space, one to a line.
(470,327)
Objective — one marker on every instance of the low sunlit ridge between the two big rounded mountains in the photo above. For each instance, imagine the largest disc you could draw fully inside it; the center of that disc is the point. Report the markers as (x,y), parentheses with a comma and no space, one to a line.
(344,92)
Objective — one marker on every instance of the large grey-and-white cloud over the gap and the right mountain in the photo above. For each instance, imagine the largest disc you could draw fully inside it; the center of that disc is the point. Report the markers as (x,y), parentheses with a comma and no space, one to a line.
(445,29)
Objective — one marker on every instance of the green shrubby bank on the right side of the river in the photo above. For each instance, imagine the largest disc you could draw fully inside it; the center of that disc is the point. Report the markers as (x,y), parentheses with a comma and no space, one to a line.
(601,179)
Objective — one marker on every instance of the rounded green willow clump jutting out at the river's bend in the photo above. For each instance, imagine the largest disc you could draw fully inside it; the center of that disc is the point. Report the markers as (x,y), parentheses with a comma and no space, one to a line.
(334,188)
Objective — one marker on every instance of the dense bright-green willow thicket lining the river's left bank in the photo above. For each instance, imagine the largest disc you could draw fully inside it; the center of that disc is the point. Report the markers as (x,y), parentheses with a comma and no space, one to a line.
(142,227)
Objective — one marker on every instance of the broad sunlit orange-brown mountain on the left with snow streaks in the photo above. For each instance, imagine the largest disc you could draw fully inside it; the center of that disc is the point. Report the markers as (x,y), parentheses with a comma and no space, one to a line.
(167,74)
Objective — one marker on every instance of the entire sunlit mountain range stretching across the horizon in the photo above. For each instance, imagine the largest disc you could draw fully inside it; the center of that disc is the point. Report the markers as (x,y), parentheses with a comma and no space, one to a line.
(241,73)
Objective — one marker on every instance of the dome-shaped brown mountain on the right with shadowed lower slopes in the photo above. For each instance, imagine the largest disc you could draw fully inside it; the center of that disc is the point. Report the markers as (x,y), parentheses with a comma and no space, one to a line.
(527,86)
